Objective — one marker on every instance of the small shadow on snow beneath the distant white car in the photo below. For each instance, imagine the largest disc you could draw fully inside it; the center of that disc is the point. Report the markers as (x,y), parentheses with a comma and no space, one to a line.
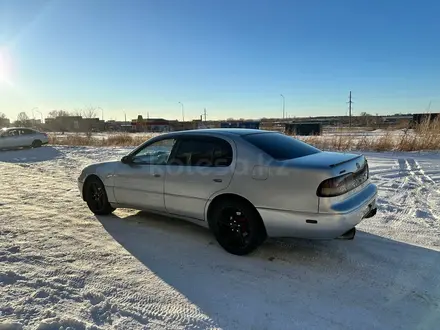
(29,155)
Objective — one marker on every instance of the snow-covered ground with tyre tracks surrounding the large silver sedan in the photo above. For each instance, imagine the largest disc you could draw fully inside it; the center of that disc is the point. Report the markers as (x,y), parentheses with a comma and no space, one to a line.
(63,268)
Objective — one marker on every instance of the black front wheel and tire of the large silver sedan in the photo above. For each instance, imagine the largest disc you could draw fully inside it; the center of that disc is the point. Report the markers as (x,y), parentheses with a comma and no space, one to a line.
(96,197)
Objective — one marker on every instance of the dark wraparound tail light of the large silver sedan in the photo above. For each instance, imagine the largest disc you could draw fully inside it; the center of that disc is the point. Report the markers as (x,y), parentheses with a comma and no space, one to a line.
(342,184)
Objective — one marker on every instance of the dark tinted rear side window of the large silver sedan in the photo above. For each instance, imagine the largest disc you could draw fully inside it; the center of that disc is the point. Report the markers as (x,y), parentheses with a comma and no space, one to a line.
(210,152)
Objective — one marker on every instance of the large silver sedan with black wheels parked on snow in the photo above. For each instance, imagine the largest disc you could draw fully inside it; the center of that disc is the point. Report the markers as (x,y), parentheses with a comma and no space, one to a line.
(245,185)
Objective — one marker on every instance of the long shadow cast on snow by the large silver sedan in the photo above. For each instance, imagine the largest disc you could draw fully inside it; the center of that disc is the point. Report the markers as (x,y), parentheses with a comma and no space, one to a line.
(365,283)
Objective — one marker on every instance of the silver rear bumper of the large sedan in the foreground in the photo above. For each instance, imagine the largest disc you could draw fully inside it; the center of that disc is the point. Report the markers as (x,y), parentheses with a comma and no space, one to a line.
(282,223)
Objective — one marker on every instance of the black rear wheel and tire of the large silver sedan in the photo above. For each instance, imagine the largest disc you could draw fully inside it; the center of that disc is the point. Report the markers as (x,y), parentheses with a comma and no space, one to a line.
(237,226)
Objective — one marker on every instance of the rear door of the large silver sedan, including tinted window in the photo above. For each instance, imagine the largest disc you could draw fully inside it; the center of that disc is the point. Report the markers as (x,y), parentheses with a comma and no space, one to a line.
(199,167)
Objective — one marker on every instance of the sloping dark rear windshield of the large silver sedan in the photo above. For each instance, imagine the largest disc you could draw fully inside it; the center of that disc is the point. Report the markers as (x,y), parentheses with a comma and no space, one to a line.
(280,146)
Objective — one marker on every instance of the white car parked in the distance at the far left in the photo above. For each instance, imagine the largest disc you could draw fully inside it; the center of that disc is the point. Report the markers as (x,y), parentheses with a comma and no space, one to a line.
(18,137)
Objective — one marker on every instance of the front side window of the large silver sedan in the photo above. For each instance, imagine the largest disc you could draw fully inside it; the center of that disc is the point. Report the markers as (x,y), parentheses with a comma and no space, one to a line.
(154,154)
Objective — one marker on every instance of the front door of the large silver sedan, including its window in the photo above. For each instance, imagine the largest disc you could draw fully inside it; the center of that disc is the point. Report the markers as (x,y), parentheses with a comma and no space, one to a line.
(139,182)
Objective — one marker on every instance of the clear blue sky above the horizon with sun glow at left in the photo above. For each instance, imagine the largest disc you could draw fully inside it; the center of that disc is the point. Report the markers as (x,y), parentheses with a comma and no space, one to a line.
(232,57)
